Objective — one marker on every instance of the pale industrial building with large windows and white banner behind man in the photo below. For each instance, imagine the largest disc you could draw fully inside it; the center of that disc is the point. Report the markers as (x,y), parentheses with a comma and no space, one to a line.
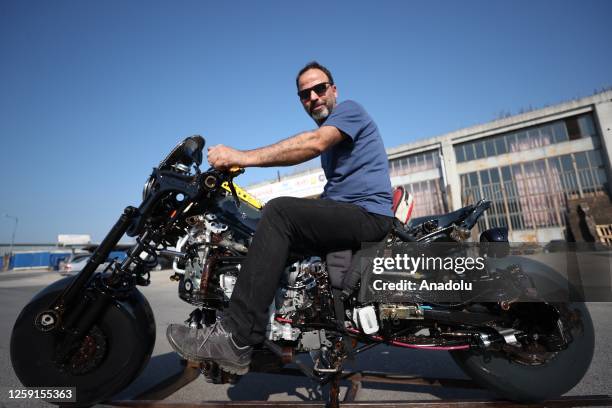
(533,166)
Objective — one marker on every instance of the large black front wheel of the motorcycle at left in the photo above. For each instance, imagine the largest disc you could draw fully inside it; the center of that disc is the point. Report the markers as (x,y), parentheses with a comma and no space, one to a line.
(111,355)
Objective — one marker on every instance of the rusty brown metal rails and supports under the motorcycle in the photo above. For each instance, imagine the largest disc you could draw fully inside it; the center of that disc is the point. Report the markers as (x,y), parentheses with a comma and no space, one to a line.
(192,370)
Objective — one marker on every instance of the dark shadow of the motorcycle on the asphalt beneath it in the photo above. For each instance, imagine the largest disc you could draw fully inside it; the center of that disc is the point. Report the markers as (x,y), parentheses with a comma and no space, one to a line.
(264,387)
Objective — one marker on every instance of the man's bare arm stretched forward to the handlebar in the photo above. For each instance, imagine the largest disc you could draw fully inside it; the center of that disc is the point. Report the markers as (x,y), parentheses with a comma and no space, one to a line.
(296,149)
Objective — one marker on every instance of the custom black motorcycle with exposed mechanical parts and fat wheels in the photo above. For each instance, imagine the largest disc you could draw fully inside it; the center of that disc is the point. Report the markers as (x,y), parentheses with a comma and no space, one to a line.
(96,331)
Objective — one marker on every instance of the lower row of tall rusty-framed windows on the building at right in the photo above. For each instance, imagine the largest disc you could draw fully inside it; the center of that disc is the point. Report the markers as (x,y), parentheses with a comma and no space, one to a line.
(534,194)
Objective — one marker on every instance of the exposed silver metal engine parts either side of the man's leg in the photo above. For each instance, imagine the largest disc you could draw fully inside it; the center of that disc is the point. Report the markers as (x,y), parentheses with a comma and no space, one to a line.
(208,273)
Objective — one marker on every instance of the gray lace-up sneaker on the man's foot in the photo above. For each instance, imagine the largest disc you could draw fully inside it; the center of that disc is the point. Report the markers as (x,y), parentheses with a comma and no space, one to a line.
(210,343)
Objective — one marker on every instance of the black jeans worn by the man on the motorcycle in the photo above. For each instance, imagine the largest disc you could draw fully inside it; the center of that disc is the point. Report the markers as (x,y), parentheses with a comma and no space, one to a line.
(292,224)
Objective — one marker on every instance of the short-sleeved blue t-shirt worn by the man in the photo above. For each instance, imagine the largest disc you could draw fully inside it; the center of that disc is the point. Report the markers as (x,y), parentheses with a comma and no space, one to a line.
(357,169)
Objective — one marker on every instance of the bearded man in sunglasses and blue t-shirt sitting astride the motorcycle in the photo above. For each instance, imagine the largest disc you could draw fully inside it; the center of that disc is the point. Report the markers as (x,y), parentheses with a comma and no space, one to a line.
(355,207)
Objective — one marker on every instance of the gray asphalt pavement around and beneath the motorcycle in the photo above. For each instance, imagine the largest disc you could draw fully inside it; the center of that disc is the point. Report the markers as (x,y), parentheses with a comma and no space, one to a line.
(17,288)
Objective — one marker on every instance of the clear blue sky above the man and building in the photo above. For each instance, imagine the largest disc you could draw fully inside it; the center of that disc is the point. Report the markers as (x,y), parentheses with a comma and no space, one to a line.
(94,93)
